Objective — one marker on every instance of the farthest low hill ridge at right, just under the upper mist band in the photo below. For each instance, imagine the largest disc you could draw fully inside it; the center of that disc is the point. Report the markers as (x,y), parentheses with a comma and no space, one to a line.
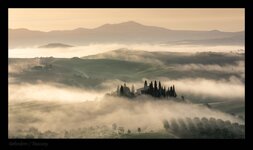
(169,58)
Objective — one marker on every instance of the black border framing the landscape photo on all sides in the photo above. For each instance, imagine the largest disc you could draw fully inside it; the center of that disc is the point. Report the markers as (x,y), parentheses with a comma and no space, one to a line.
(122,143)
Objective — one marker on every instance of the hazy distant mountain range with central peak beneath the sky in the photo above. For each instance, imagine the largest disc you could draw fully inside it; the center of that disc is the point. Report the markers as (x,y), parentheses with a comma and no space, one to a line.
(125,33)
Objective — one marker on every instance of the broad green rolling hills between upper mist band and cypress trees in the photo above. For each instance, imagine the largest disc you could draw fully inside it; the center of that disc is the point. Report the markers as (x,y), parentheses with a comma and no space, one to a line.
(126,65)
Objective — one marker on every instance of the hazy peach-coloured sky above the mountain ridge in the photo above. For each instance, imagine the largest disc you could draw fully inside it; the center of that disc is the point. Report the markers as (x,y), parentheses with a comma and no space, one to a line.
(186,19)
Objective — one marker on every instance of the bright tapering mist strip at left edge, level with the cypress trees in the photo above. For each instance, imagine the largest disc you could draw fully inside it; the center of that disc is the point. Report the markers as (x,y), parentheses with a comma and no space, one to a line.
(50,92)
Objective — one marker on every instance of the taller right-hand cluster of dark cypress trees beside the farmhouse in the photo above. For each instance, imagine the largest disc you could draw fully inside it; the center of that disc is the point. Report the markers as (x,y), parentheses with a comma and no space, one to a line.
(159,91)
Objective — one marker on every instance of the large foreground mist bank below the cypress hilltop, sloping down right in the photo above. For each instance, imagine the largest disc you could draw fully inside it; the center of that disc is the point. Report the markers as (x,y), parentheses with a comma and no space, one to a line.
(54,109)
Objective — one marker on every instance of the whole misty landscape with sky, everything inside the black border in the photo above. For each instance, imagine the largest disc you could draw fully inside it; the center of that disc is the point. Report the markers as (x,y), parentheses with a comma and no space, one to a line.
(126,73)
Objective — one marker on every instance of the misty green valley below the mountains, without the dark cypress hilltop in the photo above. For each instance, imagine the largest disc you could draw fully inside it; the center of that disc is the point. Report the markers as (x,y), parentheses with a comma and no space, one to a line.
(55,97)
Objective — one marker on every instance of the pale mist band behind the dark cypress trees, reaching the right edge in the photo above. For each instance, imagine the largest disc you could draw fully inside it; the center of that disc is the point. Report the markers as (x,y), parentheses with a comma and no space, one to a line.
(232,88)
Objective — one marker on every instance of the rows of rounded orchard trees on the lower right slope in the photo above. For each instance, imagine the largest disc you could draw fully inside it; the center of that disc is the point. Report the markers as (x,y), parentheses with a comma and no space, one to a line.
(205,128)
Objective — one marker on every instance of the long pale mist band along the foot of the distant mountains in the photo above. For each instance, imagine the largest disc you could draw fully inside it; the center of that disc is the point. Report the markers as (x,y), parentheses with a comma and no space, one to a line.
(93,49)
